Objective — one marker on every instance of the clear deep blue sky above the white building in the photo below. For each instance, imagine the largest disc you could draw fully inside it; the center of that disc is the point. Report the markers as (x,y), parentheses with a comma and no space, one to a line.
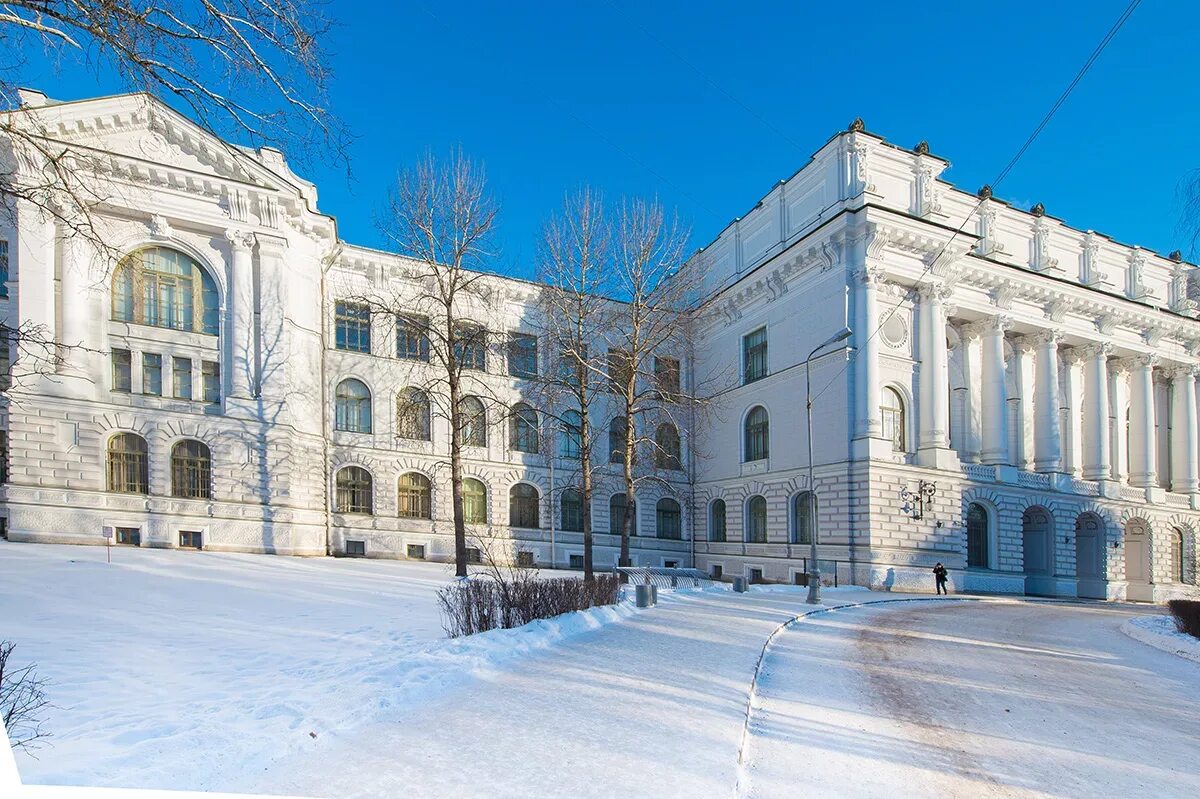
(706,105)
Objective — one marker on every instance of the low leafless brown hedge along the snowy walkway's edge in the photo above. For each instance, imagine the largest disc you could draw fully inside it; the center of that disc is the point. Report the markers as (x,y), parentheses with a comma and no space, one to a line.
(487,603)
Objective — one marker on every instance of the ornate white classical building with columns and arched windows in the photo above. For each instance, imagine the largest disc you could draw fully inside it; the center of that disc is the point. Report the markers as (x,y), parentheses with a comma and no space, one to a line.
(1041,380)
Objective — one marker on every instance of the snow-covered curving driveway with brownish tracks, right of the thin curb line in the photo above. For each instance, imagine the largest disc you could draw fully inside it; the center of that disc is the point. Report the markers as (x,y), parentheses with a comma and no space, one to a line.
(975,700)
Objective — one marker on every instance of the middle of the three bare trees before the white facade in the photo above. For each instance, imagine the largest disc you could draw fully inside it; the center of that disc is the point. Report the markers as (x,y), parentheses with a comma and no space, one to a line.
(574,316)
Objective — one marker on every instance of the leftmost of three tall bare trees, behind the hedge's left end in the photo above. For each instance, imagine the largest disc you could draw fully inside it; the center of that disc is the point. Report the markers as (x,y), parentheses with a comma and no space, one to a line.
(441,217)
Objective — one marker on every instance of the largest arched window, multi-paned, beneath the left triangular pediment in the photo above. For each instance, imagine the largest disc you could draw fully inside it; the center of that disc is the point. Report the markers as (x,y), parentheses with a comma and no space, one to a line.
(165,289)
